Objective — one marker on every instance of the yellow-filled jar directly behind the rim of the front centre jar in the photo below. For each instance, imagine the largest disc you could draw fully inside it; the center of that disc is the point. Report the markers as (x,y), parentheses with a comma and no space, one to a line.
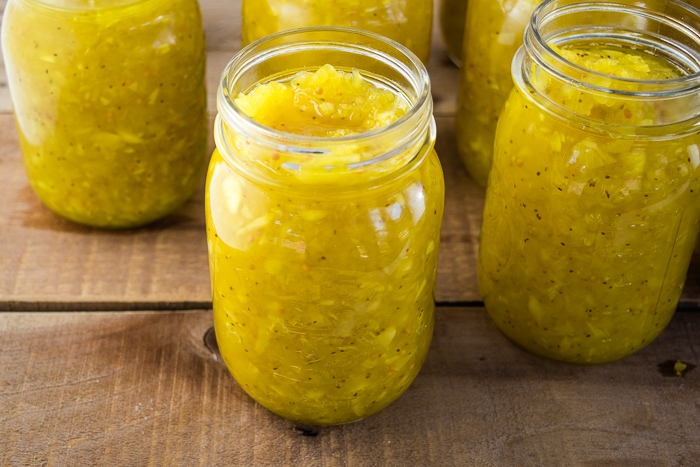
(408,22)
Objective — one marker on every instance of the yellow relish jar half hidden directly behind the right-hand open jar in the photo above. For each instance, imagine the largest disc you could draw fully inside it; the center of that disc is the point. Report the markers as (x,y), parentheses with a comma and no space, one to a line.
(493,32)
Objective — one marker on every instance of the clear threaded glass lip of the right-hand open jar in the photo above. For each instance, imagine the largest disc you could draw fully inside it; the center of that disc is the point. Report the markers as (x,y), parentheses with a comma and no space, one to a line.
(623,25)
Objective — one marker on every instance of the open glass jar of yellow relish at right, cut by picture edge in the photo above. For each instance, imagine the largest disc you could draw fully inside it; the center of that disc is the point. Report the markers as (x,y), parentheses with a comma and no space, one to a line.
(592,206)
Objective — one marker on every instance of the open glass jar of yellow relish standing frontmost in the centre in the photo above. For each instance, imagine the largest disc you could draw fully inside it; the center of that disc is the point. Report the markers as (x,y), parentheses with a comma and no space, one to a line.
(323,249)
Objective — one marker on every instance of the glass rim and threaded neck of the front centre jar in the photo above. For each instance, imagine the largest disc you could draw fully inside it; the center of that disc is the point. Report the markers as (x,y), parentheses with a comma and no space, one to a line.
(382,61)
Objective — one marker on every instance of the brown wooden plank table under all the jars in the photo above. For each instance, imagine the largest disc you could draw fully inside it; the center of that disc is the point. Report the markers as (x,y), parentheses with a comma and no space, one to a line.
(107,355)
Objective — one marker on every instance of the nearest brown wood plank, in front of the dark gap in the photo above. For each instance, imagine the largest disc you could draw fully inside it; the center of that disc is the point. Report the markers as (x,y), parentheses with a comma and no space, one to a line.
(143,389)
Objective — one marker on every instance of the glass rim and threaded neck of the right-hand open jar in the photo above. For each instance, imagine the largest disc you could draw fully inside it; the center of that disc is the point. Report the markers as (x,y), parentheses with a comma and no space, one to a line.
(671,35)
